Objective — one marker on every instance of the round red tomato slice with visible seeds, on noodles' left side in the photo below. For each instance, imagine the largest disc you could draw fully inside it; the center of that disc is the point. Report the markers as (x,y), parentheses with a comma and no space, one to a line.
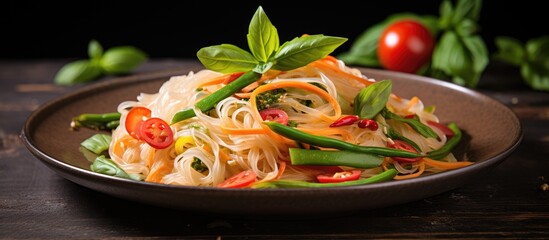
(156,132)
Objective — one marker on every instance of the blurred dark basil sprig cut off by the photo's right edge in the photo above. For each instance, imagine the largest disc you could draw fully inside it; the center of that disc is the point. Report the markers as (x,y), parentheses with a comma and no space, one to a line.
(532,58)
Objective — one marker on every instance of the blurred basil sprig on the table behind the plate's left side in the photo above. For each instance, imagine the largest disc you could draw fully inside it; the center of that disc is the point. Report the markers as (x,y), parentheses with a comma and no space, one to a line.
(114,61)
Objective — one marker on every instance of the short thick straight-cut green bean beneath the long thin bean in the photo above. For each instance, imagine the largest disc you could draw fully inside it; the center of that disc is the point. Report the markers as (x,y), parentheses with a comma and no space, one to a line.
(300,156)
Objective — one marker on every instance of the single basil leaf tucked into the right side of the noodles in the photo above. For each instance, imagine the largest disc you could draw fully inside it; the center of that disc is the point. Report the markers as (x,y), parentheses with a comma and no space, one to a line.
(372,99)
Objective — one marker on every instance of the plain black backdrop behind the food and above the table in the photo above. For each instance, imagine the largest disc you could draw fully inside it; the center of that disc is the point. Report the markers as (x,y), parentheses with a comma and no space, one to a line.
(165,29)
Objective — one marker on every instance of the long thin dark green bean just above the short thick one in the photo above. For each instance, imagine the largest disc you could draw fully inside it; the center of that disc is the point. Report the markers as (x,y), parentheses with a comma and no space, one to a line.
(327,142)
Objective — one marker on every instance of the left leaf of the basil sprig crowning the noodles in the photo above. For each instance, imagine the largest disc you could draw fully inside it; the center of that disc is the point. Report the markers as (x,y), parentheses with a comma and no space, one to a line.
(226,58)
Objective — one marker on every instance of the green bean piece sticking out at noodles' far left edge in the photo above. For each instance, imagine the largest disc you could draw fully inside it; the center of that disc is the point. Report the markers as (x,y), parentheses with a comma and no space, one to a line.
(96,121)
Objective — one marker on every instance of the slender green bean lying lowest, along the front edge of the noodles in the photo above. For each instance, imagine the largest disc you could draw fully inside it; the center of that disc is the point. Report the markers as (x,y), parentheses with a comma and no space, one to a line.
(381,177)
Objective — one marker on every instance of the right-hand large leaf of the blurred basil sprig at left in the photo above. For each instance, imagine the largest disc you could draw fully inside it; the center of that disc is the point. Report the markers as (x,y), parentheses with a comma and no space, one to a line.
(122,60)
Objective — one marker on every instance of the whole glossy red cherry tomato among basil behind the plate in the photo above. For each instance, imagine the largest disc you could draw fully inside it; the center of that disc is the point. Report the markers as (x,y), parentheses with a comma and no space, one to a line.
(405,45)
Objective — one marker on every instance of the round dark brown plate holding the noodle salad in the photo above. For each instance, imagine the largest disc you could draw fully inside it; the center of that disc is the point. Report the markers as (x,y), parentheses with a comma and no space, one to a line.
(492,132)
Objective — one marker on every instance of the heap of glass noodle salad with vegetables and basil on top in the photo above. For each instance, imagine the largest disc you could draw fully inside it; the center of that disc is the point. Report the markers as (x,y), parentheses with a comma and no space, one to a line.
(279,116)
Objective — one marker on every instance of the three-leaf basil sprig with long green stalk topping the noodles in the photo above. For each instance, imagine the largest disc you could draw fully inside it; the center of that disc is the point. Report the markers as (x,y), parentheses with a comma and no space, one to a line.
(265,53)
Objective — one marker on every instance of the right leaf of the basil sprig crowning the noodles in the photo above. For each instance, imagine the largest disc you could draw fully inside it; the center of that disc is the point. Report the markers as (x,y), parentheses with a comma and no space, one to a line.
(304,50)
